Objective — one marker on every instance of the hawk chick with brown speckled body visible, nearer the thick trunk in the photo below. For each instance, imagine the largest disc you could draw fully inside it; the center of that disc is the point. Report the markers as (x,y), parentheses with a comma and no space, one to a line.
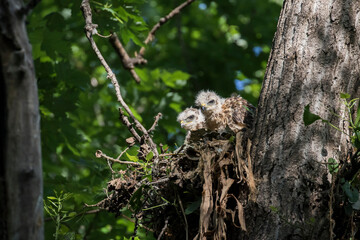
(234,112)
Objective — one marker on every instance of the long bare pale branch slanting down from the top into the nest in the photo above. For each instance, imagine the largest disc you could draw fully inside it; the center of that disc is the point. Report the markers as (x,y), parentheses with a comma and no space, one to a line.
(90,29)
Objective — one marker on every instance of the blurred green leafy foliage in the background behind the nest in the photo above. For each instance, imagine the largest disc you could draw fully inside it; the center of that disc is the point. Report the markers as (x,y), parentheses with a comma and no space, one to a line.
(220,45)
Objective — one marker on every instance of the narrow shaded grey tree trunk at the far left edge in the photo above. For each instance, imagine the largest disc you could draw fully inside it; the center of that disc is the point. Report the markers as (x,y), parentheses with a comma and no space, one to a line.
(21,210)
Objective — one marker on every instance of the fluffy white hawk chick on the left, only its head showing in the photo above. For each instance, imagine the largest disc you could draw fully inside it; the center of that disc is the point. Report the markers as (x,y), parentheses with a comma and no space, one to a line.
(191,119)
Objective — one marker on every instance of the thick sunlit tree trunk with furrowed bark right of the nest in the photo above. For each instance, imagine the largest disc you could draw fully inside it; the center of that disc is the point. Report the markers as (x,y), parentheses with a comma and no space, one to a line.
(315,57)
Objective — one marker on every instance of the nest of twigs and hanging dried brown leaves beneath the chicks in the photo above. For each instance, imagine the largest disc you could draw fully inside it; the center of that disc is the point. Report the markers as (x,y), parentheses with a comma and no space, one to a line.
(199,191)
